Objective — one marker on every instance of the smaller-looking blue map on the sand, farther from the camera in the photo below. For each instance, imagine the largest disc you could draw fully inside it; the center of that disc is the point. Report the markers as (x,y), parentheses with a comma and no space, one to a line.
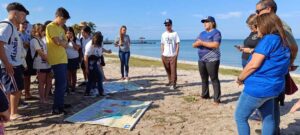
(114,87)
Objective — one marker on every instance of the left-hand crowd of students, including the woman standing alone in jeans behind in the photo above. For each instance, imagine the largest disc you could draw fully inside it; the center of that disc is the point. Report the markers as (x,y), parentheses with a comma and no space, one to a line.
(50,50)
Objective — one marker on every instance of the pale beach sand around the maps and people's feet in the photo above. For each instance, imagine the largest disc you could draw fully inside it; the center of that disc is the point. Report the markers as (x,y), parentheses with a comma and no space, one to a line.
(173,112)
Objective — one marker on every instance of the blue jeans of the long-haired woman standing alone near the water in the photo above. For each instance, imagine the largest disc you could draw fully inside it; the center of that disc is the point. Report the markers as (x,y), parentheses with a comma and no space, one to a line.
(124,58)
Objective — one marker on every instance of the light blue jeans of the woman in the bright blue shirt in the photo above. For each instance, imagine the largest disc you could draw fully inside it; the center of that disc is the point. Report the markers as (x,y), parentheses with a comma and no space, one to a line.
(246,106)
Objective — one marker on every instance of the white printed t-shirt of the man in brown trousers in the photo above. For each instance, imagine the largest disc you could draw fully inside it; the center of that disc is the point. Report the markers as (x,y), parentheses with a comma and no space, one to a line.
(169,41)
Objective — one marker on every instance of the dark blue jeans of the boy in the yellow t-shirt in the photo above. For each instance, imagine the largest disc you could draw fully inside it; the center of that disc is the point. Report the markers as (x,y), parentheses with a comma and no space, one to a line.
(60,76)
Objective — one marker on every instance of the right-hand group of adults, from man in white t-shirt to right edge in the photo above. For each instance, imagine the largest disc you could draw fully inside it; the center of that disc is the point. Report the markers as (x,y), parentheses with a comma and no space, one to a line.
(268,54)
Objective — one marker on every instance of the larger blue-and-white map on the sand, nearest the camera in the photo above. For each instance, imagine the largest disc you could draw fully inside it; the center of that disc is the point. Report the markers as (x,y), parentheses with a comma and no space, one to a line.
(112,113)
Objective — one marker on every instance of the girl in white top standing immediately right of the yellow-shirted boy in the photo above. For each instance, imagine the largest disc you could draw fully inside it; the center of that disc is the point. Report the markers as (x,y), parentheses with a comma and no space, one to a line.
(73,58)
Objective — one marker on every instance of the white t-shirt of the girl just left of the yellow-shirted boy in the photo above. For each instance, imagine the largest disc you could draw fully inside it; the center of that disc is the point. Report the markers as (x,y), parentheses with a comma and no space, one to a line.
(38,62)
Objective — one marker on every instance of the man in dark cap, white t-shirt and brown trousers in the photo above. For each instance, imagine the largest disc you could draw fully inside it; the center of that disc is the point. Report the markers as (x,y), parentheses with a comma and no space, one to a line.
(169,53)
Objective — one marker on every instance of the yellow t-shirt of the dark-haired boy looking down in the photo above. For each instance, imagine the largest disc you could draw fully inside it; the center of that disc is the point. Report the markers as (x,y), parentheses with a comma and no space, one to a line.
(56,53)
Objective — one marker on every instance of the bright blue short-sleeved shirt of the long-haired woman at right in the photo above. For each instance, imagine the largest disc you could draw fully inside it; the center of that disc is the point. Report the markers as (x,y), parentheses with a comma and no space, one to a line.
(269,79)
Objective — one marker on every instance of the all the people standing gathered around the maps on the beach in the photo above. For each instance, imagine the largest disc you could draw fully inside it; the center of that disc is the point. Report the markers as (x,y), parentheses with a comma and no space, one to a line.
(54,50)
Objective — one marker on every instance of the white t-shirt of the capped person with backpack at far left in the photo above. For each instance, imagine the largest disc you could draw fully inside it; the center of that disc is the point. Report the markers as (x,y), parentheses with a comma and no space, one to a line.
(13,50)
